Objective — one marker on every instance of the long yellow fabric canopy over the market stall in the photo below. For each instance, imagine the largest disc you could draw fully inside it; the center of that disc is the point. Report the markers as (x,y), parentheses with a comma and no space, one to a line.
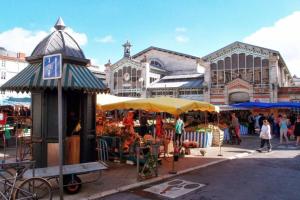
(173,106)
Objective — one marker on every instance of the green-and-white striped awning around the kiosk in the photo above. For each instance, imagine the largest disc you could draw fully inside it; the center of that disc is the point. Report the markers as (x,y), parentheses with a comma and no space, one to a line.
(74,77)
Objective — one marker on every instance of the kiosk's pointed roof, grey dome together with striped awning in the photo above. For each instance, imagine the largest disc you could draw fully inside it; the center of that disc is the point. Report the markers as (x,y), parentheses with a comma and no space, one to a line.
(76,75)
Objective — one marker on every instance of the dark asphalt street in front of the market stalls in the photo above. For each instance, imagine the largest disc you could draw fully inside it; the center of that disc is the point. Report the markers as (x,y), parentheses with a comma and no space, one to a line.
(263,176)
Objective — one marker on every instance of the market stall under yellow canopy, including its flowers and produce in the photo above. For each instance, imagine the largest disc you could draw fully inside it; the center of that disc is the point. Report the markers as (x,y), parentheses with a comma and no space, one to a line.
(124,137)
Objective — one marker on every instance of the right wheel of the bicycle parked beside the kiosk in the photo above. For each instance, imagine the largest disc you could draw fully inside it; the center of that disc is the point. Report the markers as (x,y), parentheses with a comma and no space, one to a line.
(33,188)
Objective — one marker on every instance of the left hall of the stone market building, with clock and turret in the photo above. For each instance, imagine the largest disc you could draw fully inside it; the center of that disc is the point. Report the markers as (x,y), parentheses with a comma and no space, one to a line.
(156,72)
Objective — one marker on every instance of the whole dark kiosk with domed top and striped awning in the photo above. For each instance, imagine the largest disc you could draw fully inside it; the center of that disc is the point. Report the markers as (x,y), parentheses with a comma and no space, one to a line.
(79,88)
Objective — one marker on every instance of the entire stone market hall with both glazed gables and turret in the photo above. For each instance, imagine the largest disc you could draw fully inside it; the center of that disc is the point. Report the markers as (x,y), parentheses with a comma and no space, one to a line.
(239,72)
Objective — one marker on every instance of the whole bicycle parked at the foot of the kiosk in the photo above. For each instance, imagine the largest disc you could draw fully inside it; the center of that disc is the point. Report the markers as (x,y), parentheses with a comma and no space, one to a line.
(13,187)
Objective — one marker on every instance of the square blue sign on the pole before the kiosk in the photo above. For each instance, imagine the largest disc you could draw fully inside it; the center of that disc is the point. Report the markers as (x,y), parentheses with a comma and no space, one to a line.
(52,66)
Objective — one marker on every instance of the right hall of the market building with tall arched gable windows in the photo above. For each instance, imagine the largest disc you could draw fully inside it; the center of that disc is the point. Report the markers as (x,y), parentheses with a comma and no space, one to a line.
(242,72)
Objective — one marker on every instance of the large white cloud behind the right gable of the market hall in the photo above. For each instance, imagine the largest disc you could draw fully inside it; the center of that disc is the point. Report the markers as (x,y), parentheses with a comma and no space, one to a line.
(283,36)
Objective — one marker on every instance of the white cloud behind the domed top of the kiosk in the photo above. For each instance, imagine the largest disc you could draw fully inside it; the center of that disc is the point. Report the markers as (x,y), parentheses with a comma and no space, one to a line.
(22,40)
